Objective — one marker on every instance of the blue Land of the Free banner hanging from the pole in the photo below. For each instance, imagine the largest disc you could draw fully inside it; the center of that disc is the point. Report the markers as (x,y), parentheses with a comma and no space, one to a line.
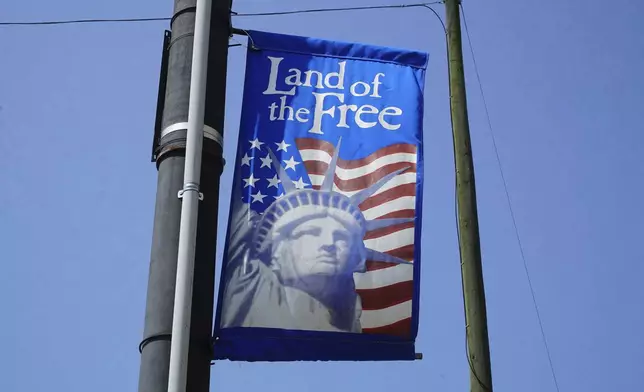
(322,256)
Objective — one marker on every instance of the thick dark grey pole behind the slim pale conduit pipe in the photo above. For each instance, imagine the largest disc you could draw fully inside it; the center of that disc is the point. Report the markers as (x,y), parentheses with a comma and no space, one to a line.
(170,159)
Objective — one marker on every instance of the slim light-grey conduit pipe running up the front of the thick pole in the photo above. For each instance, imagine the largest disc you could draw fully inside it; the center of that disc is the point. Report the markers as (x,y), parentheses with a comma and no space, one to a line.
(178,371)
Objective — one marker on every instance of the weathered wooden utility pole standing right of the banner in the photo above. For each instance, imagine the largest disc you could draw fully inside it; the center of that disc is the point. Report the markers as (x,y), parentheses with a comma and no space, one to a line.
(478,346)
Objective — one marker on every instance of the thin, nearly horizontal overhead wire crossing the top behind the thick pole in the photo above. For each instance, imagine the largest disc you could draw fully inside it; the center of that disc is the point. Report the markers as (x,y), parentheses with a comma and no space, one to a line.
(139,20)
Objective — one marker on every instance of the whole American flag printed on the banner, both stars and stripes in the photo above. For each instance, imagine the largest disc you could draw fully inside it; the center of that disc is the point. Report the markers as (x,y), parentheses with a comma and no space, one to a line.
(386,289)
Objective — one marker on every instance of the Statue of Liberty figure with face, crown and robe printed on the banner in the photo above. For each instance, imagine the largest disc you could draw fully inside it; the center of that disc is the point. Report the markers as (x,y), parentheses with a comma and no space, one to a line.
(292,266)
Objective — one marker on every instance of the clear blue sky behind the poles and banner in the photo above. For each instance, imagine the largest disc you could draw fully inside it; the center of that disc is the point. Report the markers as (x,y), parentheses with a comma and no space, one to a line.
(565,90)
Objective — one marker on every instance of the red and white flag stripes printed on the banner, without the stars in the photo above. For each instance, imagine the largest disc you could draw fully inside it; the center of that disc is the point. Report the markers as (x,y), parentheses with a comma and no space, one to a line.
(386,290)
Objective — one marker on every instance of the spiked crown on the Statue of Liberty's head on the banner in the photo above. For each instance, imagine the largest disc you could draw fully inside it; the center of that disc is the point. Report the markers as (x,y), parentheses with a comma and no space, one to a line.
(297,204)
